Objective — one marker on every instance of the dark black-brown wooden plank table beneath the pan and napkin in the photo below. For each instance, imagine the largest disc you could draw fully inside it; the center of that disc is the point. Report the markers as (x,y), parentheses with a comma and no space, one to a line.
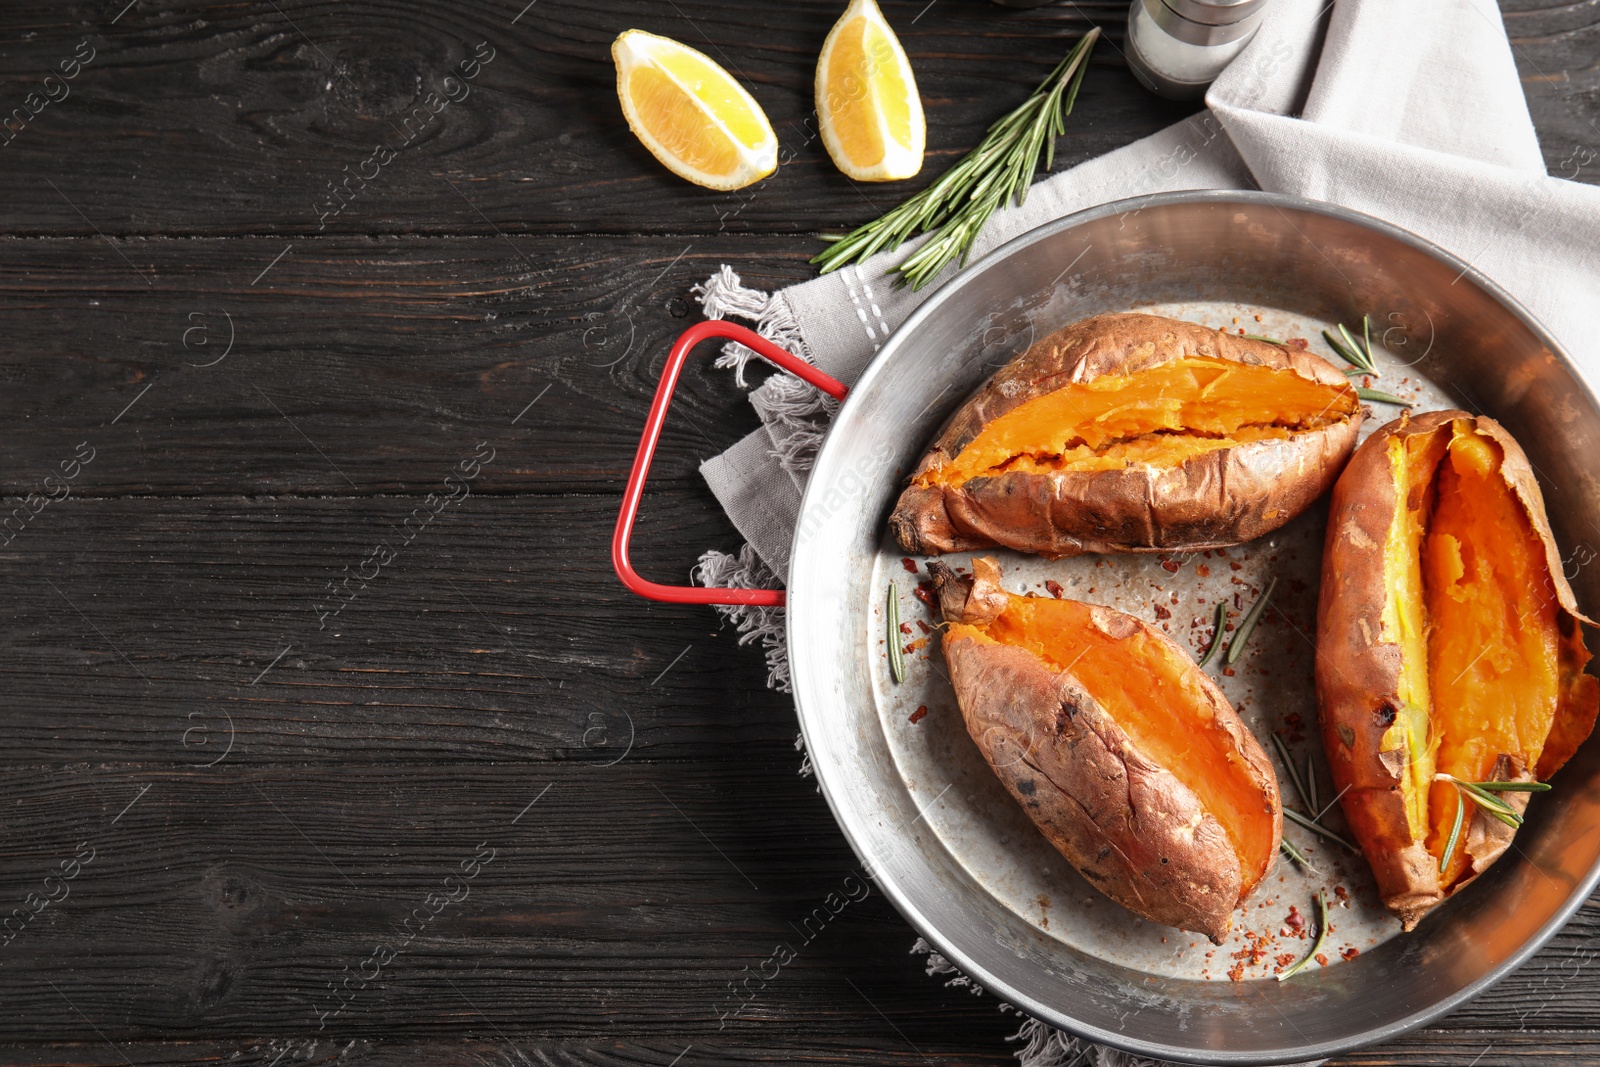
(290,778)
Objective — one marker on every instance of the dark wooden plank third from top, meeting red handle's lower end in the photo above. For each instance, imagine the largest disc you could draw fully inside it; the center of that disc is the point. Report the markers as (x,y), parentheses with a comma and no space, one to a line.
(164,629)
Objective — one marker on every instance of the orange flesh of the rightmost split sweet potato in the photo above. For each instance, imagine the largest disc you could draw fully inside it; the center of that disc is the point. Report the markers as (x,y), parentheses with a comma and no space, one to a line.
(1489,665)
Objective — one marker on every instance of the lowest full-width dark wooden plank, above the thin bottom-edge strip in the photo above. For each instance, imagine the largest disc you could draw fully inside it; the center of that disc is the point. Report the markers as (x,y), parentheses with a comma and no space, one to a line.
(588,903)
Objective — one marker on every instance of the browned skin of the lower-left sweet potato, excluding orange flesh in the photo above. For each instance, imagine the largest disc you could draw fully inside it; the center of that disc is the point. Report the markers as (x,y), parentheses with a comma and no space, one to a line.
(1129,825)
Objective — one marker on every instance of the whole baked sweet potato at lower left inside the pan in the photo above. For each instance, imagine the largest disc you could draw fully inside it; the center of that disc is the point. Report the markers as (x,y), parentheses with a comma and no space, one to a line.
(1122,751)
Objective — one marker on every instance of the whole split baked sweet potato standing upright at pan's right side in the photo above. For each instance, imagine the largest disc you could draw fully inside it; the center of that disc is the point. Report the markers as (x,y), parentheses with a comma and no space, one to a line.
(1449,642)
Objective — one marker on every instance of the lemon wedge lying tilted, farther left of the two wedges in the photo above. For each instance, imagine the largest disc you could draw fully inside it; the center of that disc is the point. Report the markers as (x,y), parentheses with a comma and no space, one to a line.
(692,114)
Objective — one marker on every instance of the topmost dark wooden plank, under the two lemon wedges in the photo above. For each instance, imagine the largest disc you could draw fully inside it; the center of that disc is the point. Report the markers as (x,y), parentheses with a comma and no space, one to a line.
(239,121)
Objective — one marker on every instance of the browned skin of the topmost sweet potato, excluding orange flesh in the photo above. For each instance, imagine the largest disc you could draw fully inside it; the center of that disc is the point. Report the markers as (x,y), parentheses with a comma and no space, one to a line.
(1215,500)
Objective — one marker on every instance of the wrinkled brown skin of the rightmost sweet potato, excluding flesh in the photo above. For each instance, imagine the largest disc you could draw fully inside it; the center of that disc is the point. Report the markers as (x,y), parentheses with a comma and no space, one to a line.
(1359,673)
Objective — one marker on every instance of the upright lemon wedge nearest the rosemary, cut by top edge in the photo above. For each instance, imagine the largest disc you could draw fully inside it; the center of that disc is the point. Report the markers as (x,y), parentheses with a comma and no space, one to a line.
(866,98)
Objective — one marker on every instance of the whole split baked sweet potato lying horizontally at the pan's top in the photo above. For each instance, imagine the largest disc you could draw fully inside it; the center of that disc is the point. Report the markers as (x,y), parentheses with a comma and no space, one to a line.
(1132,434)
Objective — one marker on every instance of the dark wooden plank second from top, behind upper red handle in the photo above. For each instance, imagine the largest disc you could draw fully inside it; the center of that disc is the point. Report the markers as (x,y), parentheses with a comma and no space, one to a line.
(361,367)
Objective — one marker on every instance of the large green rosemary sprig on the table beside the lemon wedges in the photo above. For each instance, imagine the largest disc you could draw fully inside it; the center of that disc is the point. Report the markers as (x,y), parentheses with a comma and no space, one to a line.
(962,199)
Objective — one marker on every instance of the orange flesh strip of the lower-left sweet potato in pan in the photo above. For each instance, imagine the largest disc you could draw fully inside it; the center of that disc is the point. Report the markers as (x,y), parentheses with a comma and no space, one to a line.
(1148,689)
